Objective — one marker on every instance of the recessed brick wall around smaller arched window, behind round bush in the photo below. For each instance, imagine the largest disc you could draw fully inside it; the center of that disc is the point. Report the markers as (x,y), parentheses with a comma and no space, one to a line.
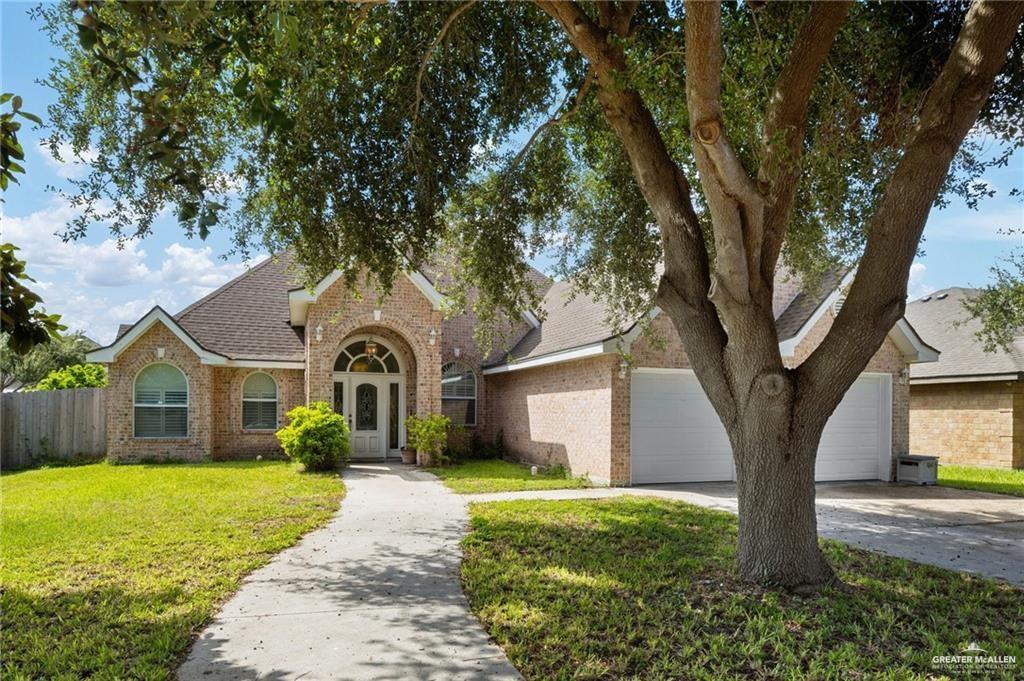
(231,441)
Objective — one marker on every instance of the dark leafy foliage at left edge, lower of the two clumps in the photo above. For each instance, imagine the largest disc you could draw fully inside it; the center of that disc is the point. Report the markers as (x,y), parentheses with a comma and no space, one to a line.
(24,326)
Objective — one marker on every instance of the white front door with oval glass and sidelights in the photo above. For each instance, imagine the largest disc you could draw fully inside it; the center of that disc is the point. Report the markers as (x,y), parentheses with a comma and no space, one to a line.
(373,407)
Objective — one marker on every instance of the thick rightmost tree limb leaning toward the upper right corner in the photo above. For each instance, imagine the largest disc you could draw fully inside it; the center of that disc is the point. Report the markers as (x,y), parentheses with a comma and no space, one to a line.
(878,296)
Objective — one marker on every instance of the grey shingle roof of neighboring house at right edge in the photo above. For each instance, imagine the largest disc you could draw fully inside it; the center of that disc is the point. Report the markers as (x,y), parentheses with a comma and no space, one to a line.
(935,318)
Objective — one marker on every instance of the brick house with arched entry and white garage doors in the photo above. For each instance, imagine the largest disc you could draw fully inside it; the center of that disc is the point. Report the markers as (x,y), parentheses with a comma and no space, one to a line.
(217,379)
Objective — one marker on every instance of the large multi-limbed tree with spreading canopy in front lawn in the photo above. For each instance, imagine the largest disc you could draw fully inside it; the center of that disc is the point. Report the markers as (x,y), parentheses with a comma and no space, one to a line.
(712,140)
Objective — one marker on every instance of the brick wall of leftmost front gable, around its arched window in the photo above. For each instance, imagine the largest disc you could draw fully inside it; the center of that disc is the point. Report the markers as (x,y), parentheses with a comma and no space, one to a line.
(122,445)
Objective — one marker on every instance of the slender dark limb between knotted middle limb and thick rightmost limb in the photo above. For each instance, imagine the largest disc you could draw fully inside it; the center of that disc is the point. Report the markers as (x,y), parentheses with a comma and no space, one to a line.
(786,122)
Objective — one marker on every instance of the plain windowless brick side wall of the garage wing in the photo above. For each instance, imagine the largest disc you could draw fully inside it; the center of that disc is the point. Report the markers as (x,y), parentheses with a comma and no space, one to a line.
(562,414)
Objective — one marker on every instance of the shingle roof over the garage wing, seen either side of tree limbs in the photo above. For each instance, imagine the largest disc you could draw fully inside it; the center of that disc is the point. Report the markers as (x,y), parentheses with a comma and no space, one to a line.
(576,322)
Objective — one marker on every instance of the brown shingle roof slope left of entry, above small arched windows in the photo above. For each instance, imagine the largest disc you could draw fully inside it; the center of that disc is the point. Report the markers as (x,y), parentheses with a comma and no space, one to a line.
(248,318)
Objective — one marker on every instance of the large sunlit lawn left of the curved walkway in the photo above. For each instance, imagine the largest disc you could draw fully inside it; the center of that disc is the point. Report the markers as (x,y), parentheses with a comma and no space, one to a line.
(109,571)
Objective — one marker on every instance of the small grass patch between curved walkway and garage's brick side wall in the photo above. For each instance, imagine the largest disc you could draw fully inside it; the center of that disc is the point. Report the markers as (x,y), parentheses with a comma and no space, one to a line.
(495,476)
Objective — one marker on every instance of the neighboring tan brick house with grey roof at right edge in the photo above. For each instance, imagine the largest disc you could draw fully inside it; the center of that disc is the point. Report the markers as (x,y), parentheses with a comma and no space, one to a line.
(968,408)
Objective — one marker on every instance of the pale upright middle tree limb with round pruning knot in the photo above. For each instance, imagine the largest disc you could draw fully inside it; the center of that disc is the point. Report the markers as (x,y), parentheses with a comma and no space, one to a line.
(734,200)
